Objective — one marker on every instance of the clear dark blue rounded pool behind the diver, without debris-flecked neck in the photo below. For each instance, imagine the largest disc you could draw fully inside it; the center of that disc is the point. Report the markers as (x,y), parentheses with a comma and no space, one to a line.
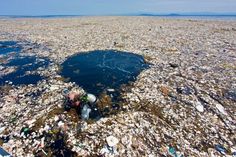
(98,71)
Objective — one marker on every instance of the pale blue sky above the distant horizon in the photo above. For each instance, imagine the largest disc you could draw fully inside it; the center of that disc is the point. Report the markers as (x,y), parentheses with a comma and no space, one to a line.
(111,7)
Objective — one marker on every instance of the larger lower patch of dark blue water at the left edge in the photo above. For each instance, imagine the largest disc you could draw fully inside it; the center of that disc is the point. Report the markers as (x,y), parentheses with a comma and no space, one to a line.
(24,64)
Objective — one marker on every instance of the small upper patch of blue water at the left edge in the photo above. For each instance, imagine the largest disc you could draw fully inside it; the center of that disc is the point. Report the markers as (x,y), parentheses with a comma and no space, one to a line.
(9,46)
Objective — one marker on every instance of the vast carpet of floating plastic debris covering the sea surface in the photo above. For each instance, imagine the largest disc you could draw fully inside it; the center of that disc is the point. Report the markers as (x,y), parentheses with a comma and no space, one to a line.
(200,70)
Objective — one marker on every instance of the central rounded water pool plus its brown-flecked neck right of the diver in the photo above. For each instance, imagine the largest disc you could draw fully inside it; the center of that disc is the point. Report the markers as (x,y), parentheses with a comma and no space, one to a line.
(102,73)
